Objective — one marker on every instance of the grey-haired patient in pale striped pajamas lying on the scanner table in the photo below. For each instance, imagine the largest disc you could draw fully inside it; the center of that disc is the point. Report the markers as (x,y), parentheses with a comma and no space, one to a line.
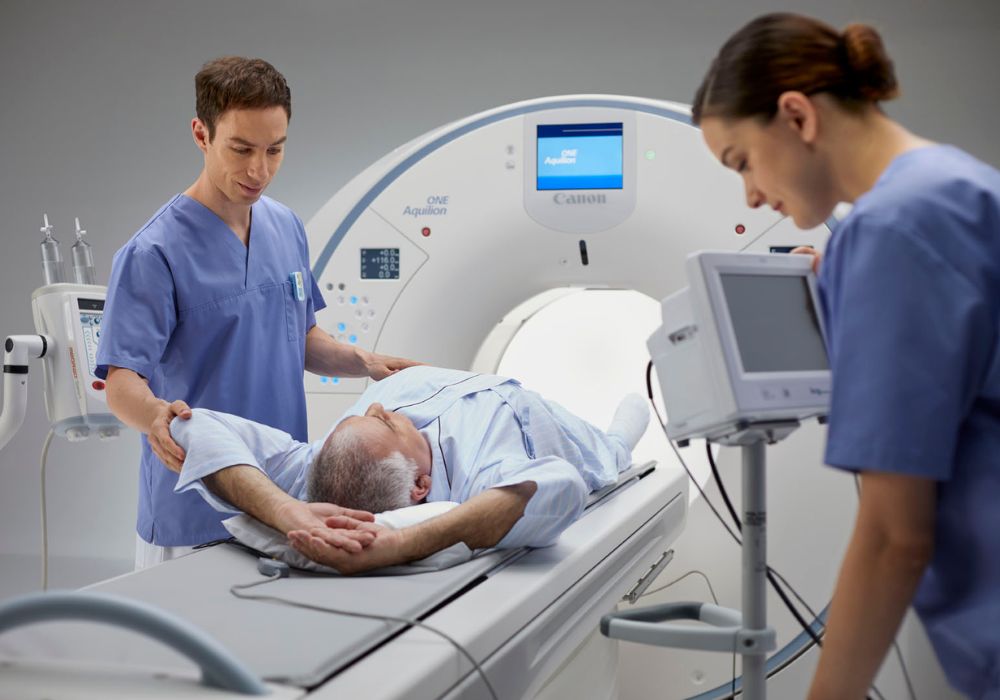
(520,466)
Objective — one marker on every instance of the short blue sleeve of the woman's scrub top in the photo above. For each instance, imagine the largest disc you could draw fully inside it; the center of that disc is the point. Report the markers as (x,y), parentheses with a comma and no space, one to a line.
(909,340)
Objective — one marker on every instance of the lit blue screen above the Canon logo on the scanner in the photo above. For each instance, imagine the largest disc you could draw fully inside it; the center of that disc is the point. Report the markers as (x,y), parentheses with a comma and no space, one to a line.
(580,156)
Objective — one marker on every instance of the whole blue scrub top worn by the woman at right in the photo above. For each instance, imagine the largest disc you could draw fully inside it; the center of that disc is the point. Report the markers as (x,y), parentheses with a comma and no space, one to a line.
(910,289)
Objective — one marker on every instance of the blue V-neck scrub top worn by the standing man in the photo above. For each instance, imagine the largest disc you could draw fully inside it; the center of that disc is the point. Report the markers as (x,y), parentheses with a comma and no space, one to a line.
(214,323)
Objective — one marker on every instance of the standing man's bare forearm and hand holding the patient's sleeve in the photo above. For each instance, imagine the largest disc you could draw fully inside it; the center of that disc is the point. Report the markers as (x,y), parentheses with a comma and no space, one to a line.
(132,402)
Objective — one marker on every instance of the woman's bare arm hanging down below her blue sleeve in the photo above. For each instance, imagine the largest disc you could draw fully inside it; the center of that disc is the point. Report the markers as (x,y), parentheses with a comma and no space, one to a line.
(891,546)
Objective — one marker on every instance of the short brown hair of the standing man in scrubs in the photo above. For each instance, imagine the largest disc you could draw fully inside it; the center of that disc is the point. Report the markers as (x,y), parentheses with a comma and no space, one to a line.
(234,82)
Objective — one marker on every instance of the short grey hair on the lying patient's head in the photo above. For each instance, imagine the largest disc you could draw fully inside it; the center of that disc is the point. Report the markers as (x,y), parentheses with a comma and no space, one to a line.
(345,472)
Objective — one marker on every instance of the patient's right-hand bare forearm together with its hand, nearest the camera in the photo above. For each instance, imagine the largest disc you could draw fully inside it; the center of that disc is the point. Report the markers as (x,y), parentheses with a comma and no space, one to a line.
(480,522)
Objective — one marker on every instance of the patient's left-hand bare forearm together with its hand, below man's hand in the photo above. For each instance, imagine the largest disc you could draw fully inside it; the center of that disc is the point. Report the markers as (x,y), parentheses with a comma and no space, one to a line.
(252,492)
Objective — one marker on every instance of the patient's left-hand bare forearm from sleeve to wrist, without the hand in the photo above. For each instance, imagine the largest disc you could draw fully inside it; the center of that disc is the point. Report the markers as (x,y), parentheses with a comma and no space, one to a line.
(252,492)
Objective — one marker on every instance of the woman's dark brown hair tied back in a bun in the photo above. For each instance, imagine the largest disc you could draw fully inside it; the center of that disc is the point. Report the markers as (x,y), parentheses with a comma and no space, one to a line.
(783,52)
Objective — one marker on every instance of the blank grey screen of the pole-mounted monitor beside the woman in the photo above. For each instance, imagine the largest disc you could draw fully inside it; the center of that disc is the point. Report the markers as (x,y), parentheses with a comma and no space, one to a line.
(774,321)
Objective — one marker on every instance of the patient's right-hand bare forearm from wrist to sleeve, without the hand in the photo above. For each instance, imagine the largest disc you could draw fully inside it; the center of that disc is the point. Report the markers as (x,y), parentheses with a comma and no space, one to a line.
(480,522)
